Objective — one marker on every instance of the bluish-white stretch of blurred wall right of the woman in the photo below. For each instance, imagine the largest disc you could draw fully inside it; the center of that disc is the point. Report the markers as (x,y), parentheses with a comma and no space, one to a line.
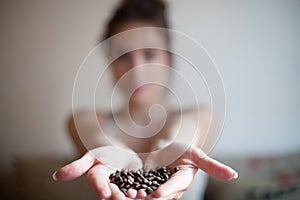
(256,46)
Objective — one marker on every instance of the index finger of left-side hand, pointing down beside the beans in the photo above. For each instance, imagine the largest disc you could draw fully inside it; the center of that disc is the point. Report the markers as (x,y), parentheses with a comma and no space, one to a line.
(97,178)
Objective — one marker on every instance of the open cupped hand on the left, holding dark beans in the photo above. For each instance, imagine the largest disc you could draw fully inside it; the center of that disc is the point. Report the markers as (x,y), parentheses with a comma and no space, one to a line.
(99,164)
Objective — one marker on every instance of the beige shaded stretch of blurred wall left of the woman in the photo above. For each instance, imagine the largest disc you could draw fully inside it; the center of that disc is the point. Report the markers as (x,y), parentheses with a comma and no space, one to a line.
(42,45)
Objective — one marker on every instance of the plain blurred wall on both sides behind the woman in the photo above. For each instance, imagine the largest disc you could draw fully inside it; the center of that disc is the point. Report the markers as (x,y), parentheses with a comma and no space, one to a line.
(255,44)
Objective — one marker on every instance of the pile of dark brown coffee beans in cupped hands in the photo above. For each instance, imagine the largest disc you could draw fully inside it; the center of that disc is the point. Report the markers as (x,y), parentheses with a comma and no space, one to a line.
(149,180)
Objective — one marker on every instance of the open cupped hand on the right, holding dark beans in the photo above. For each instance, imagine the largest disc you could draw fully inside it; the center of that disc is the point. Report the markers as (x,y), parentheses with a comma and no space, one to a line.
(190,159)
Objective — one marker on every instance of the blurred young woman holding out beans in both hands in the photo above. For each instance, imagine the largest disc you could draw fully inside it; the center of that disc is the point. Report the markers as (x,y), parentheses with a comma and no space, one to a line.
(134,65)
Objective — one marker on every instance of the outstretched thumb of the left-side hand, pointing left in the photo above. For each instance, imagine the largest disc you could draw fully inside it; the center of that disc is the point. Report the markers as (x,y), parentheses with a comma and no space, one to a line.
(74,169)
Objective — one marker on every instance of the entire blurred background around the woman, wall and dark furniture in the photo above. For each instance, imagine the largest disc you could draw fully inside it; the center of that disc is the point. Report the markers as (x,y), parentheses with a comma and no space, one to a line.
(255,45)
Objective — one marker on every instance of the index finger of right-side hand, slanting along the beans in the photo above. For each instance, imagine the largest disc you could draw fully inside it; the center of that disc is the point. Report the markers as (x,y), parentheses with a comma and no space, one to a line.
(178,182)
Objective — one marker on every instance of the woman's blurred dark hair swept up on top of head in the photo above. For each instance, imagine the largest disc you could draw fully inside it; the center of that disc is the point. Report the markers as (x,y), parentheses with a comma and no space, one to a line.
(153,11)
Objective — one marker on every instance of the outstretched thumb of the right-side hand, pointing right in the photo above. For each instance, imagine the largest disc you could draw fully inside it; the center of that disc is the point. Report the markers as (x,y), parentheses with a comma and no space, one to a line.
(212,167)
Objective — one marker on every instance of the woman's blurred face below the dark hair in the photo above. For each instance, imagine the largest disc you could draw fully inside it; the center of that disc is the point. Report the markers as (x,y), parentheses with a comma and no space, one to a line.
(140,67)
